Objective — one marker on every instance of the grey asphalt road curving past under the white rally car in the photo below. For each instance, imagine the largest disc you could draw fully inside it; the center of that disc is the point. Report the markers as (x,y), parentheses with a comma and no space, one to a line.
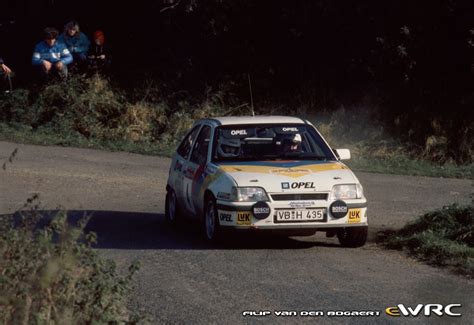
(184,280)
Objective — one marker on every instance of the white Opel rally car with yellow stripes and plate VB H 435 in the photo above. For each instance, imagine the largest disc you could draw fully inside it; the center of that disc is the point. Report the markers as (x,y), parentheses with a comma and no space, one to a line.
(265,173)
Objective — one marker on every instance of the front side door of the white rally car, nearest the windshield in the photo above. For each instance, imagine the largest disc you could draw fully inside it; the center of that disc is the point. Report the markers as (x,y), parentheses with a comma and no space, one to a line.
(195,171)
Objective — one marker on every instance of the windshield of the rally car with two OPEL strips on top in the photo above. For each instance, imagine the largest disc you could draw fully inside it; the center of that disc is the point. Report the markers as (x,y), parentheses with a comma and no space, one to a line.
(269,142)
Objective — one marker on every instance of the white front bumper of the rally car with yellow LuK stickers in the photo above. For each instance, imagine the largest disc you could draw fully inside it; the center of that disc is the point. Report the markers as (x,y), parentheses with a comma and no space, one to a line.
(238,215)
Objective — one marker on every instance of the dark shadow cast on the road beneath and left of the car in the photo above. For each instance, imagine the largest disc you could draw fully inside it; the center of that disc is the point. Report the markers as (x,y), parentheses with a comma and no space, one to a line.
(138,230)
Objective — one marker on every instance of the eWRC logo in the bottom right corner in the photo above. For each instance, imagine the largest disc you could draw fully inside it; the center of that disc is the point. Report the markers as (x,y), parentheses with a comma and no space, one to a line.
(425,310)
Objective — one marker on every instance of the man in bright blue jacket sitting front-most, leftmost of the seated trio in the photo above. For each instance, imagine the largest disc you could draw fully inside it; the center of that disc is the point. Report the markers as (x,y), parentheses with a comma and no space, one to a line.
(51,56)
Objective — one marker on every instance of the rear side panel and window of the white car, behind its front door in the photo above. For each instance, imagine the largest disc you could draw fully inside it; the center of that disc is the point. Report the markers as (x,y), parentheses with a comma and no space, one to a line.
(179,163)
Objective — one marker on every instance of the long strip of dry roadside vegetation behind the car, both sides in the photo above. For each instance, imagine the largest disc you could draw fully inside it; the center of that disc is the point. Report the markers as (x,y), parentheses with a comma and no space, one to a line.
(90,112)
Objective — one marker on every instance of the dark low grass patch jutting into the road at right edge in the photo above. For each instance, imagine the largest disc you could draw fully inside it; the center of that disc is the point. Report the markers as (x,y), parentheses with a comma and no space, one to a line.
(442,237)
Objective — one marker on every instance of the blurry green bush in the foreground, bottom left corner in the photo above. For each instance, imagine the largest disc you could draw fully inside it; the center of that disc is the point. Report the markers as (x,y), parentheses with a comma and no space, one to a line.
(51,275)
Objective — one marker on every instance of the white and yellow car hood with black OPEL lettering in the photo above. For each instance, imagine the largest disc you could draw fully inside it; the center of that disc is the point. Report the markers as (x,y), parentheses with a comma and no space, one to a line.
(285,176)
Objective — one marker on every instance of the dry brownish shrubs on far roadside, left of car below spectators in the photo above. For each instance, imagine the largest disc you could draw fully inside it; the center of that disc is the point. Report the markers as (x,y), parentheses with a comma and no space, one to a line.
(91,108)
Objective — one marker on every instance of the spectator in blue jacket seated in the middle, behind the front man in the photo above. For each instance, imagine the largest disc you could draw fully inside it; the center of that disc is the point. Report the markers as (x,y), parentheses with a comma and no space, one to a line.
(76,42)
